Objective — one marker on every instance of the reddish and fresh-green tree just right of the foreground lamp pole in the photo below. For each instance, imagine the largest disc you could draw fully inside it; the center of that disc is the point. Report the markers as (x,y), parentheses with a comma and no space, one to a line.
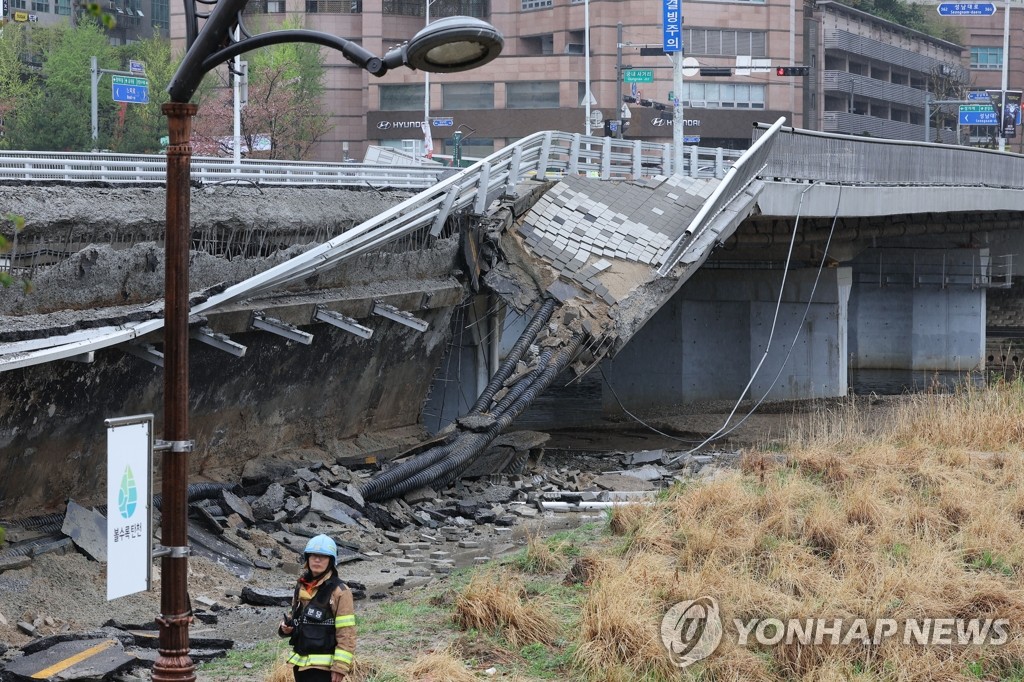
(286,89)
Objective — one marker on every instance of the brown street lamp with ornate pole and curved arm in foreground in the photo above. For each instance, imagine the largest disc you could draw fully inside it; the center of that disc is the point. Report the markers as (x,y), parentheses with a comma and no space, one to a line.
(454,45)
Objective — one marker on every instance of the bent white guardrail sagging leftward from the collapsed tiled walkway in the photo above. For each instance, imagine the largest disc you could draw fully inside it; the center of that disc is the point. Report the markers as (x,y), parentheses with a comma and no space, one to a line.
(546,154)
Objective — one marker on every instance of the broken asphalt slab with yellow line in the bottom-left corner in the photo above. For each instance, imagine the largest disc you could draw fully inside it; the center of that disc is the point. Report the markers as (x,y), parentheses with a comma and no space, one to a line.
(79,660)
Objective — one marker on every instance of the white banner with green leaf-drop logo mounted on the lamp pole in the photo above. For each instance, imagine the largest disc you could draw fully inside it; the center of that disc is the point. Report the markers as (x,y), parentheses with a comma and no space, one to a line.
(130,467)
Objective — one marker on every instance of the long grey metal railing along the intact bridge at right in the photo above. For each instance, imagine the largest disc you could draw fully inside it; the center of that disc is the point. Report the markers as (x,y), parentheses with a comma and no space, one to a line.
(806,155)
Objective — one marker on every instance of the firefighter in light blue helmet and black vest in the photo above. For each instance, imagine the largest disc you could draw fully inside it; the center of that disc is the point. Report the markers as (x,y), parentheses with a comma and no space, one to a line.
(322,622)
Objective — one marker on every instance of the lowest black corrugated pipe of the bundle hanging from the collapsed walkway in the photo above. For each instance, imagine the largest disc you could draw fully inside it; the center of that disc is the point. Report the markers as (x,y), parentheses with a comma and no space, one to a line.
(471,445)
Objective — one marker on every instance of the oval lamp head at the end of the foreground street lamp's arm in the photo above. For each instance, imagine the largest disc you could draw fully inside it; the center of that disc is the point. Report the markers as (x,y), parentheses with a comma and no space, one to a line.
(450,46)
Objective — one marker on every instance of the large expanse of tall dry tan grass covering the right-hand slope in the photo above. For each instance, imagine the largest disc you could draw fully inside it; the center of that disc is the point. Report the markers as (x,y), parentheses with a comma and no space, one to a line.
(917,516)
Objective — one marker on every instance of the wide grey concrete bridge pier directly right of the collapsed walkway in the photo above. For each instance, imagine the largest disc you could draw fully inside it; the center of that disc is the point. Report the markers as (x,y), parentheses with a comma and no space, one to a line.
(707,342)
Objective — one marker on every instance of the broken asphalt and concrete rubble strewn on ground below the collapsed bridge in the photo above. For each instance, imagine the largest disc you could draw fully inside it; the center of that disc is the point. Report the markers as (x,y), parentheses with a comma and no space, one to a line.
(263,525)
